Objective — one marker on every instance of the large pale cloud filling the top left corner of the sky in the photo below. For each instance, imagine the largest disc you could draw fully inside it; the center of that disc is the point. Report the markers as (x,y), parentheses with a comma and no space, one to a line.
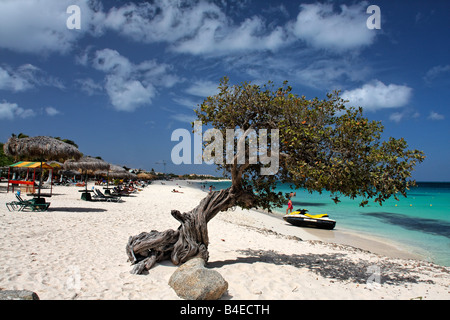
(39,26)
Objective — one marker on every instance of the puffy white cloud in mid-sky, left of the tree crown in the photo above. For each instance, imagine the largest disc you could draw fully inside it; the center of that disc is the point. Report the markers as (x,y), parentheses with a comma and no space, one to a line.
(128,85)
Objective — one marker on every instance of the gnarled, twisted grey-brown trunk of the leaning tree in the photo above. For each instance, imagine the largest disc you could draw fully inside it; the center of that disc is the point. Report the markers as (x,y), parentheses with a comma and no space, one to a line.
(191,238)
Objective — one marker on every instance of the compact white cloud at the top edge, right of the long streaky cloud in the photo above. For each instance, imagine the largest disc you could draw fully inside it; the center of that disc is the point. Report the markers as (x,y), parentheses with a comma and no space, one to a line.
(321,27)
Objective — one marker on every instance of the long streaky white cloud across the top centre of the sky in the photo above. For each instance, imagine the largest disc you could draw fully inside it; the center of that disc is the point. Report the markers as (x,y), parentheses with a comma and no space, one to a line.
(196,28)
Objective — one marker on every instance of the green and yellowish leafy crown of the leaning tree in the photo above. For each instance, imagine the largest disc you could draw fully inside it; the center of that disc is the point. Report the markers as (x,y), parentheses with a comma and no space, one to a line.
(324,145)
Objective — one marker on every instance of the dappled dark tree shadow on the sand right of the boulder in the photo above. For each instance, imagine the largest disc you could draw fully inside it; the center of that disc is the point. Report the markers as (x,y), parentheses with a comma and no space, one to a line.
(333,266)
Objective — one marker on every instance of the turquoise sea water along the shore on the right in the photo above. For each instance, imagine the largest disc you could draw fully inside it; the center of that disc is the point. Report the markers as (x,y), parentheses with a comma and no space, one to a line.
(420,222)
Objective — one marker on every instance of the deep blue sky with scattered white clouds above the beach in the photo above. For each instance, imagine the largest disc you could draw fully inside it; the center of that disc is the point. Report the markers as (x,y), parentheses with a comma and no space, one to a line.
(132,74)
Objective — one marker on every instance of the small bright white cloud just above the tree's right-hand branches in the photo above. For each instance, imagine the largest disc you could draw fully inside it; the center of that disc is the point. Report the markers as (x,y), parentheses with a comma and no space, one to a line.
(376,95)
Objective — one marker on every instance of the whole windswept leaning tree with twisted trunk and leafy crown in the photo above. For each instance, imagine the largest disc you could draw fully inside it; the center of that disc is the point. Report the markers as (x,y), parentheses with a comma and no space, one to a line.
(321,145)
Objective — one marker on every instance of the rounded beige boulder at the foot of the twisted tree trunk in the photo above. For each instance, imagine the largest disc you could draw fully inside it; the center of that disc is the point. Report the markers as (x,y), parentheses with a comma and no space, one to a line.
(192,281)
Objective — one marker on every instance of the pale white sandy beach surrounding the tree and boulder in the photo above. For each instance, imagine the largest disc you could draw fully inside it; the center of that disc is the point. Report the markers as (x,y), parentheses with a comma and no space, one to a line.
(76,250)
